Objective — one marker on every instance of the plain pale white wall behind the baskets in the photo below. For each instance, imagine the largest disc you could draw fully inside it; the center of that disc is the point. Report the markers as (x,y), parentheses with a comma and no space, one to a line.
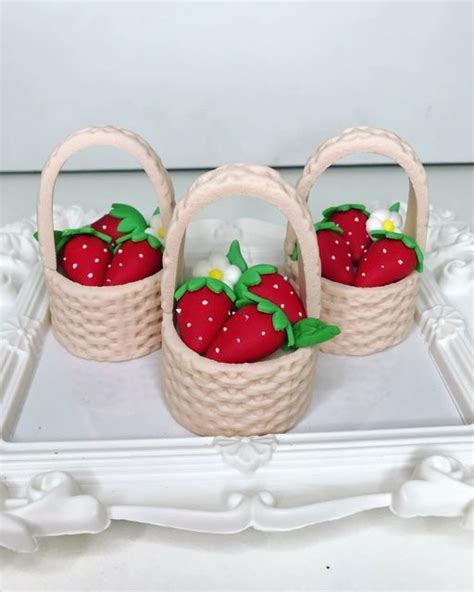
(208,82)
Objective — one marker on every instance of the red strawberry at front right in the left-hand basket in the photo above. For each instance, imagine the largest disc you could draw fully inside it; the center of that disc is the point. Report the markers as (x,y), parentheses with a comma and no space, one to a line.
(135,258)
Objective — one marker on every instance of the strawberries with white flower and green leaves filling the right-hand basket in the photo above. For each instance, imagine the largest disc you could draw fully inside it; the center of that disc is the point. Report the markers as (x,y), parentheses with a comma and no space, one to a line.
(365,249)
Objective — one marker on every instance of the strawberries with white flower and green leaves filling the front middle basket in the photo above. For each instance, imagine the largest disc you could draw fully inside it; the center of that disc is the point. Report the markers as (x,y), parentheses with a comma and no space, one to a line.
(235,313)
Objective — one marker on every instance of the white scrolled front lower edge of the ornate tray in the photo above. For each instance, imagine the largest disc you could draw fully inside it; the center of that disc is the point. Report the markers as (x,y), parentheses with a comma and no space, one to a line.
(54,505)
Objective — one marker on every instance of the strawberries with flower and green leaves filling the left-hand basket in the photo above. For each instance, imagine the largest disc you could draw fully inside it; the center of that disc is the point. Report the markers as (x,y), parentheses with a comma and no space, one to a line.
(118,248)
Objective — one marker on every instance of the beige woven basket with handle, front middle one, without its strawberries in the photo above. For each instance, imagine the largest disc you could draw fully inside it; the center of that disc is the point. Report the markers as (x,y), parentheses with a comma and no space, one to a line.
(214,398)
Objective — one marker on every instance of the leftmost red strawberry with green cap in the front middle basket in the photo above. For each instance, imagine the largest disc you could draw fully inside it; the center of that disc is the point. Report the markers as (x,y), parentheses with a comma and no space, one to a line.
(203,306)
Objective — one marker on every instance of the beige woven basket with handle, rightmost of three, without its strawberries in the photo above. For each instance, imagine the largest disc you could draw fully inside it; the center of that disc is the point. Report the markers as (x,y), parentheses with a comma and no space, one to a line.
(371,319)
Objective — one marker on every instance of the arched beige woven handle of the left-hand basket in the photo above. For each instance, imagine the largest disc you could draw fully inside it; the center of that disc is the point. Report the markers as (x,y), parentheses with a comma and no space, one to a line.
(97,136)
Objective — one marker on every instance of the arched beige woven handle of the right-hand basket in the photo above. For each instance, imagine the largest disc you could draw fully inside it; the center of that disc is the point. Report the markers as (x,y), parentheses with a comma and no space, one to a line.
(368,140)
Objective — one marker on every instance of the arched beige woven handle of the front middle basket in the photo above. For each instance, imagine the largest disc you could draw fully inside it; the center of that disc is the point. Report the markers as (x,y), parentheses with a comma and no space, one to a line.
(236,179)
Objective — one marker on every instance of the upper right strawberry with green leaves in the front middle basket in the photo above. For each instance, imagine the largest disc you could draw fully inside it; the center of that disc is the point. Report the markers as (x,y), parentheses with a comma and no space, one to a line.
(265,282)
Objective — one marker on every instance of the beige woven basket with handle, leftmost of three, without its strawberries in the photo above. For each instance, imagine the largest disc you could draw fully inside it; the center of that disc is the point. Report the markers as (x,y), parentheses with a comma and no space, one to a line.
(103,323)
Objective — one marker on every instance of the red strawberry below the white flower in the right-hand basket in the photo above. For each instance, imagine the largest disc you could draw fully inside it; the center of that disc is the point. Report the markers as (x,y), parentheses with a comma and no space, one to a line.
(391,258)
